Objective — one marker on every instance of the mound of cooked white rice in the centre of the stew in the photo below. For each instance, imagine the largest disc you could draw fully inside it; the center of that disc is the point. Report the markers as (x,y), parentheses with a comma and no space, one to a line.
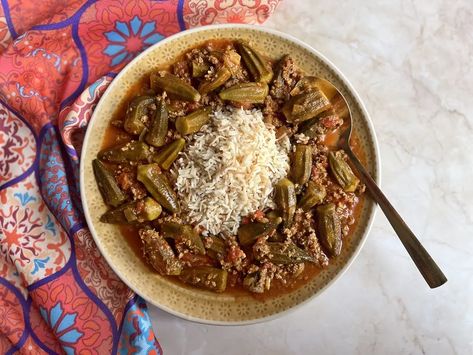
(227,170)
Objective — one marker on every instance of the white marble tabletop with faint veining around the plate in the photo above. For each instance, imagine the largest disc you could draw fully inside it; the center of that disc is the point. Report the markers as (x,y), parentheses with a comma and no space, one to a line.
(412,63)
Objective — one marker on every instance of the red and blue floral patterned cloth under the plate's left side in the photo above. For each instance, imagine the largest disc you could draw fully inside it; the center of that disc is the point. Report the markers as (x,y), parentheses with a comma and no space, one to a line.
(57,294)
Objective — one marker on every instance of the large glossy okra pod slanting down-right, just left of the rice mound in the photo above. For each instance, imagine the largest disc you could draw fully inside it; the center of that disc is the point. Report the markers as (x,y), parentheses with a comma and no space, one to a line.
(158,186)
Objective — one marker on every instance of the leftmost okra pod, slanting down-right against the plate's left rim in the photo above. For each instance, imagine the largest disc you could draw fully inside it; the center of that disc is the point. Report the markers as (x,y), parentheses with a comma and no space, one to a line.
(108,187)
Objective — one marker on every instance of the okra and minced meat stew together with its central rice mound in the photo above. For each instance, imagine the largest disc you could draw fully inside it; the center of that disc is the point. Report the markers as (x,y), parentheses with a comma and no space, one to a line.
(223,167)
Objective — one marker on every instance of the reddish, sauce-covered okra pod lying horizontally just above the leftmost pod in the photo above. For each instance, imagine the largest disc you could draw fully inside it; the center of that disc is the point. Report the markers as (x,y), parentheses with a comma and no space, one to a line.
(131,151)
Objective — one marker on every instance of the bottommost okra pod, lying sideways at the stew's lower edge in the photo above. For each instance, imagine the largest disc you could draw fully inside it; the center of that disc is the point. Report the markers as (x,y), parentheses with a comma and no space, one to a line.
(206,277)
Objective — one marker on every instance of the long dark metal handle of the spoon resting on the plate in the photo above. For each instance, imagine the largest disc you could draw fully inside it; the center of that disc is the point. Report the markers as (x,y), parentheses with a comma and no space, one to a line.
(424,262)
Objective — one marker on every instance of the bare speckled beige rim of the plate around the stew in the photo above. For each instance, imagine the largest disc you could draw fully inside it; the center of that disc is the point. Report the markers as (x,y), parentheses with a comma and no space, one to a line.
(194,304)
